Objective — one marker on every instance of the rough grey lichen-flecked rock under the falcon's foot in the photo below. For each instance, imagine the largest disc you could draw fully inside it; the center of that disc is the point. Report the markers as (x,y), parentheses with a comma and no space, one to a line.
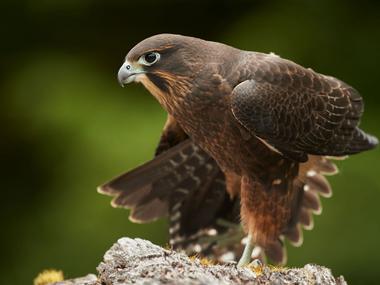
(137,261)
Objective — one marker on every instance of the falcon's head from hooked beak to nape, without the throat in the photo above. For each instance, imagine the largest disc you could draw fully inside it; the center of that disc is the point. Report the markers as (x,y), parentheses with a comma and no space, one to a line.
(160,59)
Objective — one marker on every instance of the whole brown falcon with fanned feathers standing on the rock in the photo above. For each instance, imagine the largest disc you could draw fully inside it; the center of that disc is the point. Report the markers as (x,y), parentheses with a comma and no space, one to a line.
(248,139)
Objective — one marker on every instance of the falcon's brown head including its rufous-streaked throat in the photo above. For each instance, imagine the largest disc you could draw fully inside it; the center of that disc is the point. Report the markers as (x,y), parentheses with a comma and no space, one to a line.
(168,64)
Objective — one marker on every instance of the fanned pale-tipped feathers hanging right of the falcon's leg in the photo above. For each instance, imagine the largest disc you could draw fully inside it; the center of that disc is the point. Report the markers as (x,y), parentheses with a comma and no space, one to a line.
(307,187)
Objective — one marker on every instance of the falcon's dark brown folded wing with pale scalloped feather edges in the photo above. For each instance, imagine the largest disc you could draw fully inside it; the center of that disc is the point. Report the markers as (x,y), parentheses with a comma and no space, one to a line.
(300,112)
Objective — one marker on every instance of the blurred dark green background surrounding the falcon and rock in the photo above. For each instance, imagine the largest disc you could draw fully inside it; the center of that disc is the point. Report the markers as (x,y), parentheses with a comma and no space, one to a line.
(67,126)
